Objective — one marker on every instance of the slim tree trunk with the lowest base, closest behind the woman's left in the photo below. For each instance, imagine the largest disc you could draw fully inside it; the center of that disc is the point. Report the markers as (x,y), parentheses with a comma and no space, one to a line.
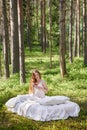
(21,41)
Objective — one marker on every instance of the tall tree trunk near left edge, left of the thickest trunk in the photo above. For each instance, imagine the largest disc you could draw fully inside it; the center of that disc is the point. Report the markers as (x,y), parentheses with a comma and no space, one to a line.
(5,38)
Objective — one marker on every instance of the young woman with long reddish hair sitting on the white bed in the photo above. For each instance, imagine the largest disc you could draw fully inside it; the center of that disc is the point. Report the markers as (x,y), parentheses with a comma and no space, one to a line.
(37,85)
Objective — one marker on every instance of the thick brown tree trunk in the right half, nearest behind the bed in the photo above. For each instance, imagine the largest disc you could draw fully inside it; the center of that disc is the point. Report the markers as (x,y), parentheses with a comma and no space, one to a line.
(62,38)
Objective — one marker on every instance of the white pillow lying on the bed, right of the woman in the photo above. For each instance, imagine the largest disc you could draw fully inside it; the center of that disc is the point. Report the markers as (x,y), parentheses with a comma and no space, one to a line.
(53,100)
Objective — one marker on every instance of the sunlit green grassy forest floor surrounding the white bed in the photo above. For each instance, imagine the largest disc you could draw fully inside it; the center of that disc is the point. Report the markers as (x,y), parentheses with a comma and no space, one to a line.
(73,85)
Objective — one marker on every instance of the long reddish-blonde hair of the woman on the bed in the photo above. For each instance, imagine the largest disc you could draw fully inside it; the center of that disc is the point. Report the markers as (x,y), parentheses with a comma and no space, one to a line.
(33,80)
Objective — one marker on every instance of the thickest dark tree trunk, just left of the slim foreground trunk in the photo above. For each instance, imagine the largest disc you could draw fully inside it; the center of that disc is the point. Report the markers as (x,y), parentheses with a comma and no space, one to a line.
(14,36)
